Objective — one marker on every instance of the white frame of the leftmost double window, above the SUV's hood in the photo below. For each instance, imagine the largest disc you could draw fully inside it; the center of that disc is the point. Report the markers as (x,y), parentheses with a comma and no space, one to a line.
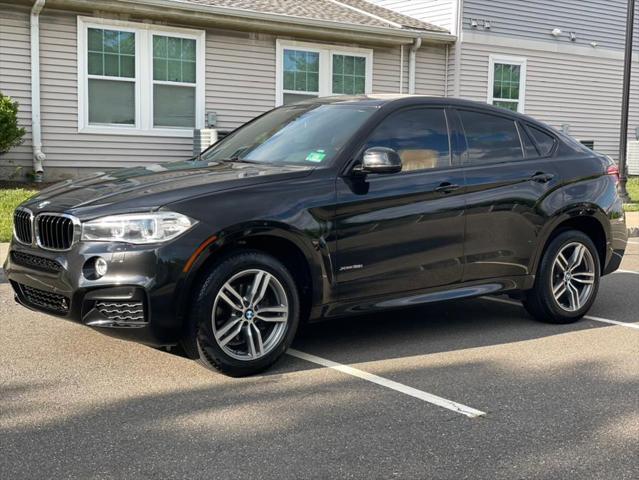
(143,78)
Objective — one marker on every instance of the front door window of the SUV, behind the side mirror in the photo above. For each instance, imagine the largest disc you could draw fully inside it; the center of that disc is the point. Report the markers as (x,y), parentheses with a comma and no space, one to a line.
(420,137)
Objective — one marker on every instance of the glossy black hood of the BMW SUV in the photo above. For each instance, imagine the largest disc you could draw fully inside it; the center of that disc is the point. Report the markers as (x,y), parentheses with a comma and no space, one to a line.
(153,186)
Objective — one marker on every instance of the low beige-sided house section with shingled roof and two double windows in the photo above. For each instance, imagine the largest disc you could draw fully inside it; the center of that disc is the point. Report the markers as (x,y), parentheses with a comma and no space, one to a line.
(105,84)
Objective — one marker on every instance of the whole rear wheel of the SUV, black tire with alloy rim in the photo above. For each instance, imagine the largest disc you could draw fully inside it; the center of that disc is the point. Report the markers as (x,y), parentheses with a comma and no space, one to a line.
(547,301)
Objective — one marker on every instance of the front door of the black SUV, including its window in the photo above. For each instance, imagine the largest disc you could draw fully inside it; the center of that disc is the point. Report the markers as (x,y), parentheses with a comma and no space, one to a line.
(403,231)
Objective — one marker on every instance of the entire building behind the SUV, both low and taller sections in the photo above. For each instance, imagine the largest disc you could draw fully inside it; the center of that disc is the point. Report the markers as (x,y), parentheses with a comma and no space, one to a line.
(105,84)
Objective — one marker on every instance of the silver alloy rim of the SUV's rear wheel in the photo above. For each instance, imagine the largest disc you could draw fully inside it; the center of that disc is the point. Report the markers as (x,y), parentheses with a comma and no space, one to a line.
(573,276)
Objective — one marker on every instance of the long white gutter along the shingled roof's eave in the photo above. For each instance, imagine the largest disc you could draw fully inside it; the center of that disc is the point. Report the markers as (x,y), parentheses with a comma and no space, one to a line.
(237,16)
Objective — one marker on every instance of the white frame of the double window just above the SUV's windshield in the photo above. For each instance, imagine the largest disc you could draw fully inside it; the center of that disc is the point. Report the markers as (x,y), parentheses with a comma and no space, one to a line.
(326,53)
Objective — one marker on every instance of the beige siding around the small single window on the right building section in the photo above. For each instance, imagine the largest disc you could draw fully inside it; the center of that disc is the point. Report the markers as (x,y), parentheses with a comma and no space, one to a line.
(582,91)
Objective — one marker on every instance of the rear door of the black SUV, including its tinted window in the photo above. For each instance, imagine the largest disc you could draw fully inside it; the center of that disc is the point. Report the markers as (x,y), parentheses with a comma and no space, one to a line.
(510,182)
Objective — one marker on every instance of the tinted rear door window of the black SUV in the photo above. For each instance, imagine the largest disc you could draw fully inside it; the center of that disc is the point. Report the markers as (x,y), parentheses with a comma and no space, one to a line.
(490,138)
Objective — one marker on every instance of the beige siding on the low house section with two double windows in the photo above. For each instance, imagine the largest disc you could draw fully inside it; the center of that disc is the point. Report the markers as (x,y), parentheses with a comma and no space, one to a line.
(240,84)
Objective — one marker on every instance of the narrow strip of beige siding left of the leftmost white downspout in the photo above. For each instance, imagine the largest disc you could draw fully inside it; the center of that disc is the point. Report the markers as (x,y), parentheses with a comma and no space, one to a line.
(15,81)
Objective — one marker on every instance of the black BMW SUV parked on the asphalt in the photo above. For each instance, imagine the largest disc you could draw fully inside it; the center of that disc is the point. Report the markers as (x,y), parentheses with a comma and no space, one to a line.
(325,208)
